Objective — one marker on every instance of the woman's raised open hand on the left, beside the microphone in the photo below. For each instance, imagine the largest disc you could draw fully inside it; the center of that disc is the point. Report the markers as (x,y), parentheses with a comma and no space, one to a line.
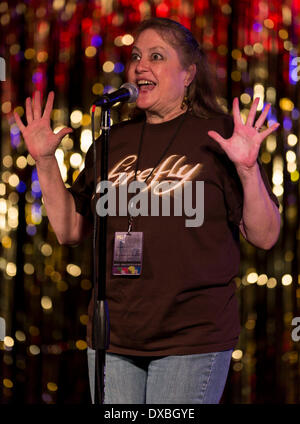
(40,140)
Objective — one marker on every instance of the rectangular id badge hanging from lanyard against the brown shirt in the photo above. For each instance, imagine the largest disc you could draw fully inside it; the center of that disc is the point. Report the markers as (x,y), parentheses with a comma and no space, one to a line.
(128,253)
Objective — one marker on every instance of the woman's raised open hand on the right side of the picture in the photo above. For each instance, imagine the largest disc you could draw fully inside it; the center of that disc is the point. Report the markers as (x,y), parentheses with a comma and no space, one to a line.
(243,146)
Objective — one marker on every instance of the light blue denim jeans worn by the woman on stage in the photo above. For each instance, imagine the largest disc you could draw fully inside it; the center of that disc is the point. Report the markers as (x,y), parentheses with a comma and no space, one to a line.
(182,379)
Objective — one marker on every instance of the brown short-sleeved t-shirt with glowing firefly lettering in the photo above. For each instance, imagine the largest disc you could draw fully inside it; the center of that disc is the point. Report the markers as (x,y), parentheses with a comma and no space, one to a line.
(184,301)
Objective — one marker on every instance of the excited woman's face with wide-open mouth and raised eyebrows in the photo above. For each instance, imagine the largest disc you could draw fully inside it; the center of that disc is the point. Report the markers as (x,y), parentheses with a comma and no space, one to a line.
(155,68)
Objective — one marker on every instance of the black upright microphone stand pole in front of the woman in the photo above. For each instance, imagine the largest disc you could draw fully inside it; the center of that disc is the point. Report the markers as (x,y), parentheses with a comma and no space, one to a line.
(101,316)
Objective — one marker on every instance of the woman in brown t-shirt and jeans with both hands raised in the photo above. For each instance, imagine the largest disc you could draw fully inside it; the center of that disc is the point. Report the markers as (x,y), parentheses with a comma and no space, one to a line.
(174,326)
